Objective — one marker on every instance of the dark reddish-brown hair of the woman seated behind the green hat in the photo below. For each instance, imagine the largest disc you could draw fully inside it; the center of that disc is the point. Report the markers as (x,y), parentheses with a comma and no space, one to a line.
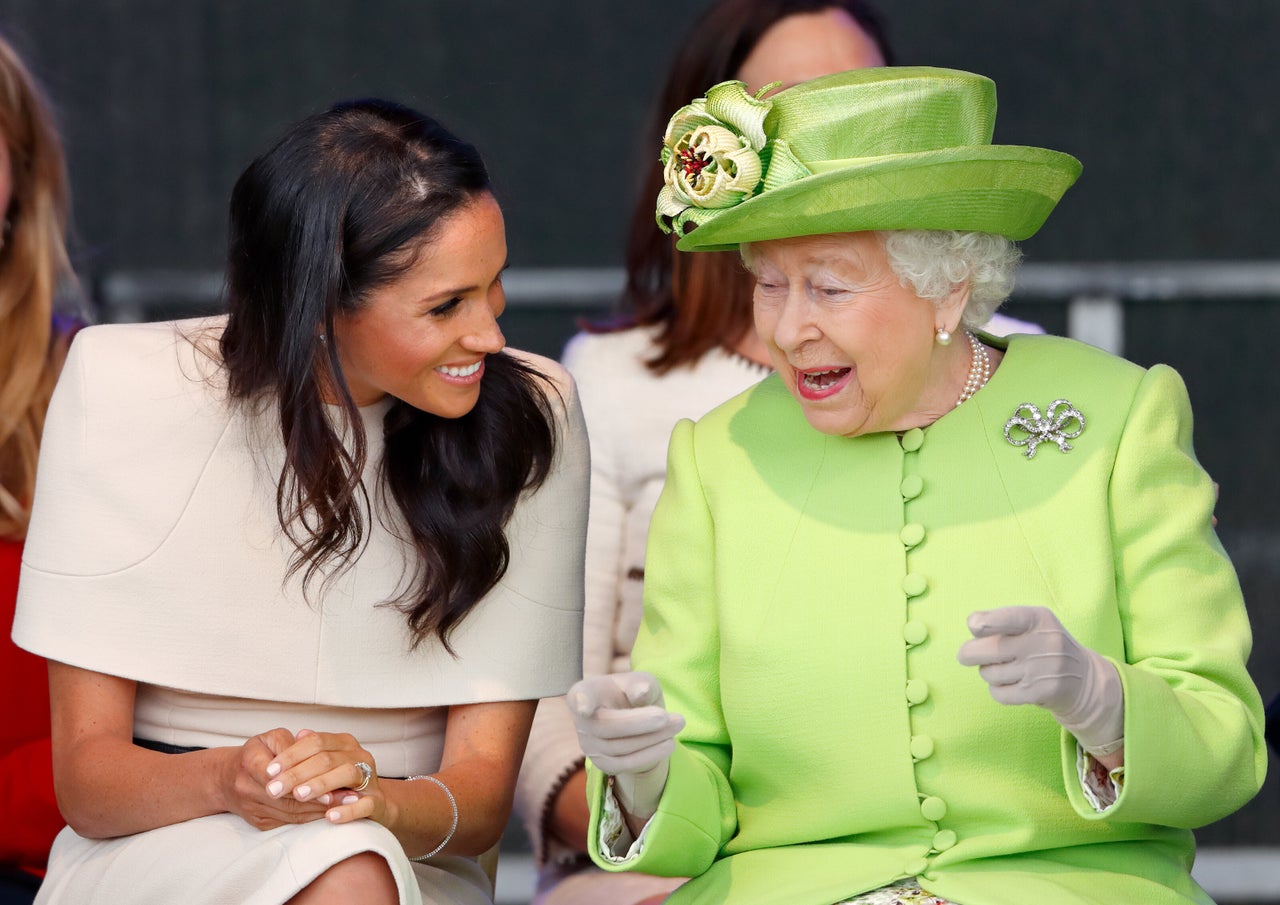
(702,301)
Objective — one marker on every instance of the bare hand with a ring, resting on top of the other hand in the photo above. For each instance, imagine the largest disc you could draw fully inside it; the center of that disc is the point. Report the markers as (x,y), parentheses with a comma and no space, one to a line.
(327,767)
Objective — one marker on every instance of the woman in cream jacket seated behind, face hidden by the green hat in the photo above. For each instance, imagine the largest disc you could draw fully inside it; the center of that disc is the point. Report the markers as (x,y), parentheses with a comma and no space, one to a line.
(685,346)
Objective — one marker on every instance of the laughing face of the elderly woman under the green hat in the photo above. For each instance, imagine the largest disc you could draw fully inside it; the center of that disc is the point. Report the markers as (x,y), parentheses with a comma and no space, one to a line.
(853,345)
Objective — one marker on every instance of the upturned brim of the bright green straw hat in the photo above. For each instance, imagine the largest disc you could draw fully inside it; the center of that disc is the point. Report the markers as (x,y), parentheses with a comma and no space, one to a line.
(1008,190)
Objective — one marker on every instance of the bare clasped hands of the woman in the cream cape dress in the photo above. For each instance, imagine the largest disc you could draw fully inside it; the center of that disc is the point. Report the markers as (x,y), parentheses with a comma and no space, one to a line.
(282,779)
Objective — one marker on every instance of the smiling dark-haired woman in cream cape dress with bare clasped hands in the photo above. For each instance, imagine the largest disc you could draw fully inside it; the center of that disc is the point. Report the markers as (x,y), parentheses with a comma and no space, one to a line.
(281,557)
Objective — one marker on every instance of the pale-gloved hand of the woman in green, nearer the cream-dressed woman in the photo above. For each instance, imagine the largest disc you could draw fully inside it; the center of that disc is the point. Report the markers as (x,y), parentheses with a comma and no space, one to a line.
(625,730)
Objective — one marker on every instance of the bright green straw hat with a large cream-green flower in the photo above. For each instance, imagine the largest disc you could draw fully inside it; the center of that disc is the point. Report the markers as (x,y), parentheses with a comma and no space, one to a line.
(898,148)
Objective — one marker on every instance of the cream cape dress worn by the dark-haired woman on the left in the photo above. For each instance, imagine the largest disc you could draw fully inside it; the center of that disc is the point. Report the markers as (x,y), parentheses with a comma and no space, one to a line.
(156,555)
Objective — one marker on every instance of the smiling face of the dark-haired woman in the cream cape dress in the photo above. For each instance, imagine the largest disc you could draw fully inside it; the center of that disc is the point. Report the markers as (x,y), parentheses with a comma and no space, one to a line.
(423,339)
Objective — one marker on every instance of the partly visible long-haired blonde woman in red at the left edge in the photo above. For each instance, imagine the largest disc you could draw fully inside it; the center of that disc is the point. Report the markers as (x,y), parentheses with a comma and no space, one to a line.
(34,340)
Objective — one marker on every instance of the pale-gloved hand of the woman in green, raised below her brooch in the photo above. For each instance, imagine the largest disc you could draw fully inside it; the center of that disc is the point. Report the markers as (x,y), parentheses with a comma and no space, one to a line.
(1027,657)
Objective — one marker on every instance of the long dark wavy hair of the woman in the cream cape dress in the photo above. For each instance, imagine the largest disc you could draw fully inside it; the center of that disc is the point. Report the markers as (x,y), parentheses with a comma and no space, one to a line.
(339,208)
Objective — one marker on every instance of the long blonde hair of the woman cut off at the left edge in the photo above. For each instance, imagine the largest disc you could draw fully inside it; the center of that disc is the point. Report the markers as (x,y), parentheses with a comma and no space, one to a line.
(33,262)
